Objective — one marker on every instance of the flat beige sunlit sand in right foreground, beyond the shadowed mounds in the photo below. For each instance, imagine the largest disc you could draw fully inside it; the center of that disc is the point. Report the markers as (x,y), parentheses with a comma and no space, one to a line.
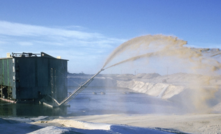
(201,123)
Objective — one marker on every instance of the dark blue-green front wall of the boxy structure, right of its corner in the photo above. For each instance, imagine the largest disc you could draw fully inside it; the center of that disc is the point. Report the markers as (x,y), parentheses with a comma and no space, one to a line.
(35,76)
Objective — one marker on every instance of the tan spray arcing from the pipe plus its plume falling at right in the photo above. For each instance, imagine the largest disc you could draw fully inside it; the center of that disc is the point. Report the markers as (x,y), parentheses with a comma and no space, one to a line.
(169,46)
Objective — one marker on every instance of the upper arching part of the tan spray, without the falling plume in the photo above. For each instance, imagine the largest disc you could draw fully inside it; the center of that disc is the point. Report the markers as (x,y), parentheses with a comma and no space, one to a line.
(161,46)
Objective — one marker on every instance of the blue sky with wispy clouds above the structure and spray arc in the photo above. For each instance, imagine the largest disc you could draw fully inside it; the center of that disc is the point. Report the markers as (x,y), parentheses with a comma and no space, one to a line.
(86,31)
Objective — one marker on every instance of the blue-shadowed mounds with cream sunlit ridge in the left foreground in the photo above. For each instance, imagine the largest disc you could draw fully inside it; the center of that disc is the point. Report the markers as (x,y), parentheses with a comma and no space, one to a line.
(69,125)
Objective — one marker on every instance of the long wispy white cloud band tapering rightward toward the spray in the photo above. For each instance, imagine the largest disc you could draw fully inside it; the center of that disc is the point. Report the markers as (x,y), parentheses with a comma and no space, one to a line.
(54,35)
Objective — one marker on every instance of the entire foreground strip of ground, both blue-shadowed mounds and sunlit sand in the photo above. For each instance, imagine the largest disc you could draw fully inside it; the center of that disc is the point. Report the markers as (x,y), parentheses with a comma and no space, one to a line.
(120,124)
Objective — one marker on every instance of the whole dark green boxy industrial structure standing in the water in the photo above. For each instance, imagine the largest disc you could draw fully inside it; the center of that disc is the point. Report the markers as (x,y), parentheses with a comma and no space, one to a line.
(29,76)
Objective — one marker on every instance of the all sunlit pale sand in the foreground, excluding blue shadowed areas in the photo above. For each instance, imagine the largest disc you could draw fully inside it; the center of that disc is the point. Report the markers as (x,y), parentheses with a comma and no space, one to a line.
(194,123)
